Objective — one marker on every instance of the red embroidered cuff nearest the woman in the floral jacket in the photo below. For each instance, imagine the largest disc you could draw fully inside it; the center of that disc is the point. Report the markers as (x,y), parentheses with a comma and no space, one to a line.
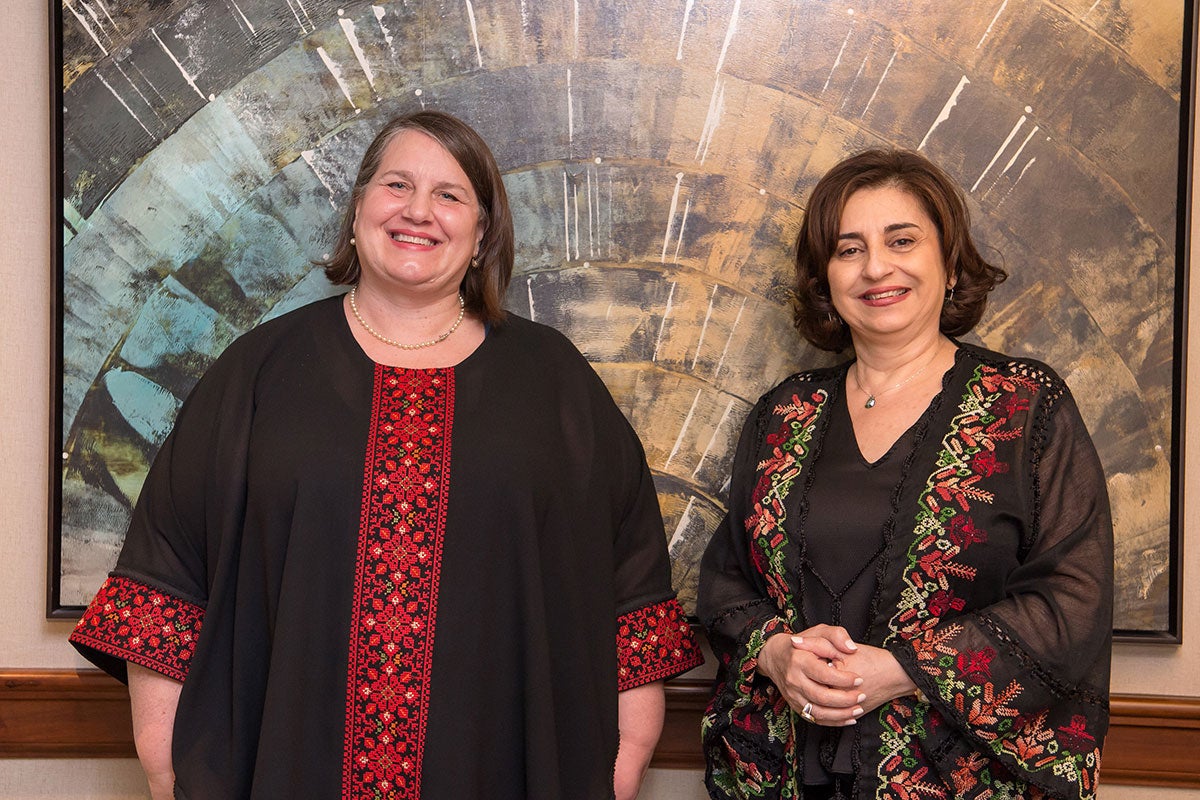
(655,642)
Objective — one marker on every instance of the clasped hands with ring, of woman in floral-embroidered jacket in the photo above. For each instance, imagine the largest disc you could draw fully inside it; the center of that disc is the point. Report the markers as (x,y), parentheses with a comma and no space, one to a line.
(830,679)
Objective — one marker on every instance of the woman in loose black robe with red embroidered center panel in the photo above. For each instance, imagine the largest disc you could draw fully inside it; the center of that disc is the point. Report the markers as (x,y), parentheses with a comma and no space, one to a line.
(400,544)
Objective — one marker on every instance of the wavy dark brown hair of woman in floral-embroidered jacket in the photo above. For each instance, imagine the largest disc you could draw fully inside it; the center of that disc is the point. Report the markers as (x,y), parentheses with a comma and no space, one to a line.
(944,202)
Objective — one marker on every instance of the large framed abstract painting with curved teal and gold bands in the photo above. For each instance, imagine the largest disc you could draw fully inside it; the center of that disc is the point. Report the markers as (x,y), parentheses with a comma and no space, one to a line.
(658,157)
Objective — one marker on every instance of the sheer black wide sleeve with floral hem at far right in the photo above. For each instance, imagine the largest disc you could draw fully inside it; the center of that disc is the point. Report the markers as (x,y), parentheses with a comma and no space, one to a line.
(1025,679)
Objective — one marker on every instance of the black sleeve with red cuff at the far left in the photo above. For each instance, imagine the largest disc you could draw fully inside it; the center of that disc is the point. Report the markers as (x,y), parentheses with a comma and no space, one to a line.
(151,610)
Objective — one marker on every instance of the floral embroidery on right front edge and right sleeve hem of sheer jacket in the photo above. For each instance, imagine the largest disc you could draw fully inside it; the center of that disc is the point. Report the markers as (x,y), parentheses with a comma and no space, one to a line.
(994,411)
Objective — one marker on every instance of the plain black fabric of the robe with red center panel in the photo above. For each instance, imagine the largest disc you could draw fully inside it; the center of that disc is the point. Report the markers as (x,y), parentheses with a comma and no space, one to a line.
(253,512)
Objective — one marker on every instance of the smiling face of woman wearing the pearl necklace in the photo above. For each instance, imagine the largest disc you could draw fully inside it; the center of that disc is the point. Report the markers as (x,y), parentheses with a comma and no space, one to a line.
(417,226)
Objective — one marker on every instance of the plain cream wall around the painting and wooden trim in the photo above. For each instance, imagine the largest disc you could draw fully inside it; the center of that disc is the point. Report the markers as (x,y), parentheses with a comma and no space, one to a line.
(29,641)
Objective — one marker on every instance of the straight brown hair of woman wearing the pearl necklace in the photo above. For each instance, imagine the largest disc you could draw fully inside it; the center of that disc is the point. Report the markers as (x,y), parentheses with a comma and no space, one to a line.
(484,286)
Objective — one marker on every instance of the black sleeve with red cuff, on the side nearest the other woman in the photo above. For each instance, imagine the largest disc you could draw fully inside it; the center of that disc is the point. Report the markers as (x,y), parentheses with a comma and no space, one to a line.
(655,640)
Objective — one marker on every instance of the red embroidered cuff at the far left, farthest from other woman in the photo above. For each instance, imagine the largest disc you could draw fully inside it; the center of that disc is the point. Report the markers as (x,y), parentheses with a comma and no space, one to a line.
(142,625)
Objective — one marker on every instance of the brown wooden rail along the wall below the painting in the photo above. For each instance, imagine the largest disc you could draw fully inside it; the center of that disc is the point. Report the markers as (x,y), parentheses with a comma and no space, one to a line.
(86,714)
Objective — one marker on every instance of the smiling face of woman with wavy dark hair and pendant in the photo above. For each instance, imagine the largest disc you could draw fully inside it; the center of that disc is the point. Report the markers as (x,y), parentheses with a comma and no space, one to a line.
(887,276)
